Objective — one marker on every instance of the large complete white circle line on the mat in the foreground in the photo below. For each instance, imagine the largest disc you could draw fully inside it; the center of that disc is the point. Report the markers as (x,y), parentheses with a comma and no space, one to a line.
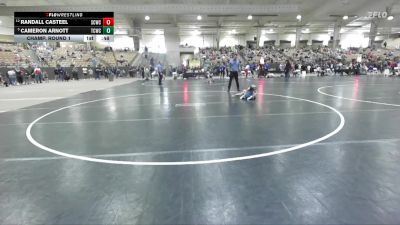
(160,163)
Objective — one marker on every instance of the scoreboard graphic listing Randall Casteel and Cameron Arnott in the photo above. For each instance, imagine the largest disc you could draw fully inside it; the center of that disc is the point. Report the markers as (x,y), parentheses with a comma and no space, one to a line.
(63,26)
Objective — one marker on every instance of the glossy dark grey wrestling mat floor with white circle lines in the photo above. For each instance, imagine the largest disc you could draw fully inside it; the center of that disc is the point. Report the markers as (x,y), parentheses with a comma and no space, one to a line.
(307,151)
